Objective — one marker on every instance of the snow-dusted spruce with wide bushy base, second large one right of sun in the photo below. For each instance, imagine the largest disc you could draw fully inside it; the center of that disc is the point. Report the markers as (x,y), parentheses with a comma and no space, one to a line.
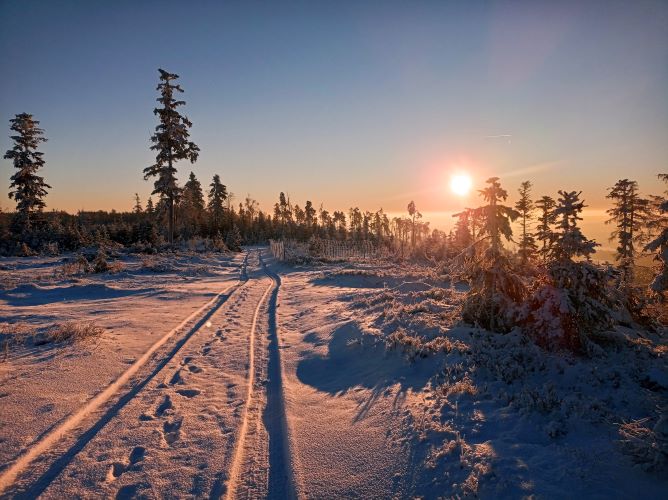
(574,300)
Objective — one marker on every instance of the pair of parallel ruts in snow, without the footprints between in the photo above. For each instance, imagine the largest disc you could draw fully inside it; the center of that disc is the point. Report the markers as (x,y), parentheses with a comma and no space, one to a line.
(282,477)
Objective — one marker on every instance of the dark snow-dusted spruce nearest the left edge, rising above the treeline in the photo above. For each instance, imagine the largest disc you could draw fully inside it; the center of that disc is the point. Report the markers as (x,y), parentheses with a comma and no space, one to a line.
(26,187)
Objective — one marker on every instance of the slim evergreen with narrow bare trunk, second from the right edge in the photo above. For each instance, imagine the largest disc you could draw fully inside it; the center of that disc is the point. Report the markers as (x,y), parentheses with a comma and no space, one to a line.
(628,213)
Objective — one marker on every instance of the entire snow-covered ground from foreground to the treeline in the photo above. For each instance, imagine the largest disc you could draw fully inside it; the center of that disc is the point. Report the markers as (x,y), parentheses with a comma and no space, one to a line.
(323,381)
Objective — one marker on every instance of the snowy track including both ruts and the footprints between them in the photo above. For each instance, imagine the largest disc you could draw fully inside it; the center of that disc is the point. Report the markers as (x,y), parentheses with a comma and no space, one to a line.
(159,428)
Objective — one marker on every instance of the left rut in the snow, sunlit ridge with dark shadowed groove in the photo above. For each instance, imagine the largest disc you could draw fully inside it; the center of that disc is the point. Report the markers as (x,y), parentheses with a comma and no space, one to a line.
(65,428)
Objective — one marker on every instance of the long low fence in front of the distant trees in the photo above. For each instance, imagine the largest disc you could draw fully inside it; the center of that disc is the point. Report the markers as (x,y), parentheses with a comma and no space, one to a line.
(328,249)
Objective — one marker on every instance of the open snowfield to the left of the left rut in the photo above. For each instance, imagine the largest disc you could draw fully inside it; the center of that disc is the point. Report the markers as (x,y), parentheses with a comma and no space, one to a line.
(42,382)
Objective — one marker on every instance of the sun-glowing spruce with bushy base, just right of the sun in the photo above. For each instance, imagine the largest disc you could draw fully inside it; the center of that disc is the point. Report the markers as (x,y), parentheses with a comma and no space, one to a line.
(496,289)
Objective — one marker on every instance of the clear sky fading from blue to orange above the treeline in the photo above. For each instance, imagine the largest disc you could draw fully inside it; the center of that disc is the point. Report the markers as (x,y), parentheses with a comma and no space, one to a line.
(344,103)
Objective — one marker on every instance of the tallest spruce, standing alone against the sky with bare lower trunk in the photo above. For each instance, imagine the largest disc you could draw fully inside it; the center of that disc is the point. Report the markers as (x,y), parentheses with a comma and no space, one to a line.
(171,143)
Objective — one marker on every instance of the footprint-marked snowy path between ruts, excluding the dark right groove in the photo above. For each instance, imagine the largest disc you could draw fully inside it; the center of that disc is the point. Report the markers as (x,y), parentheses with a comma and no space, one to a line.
(196,401)
